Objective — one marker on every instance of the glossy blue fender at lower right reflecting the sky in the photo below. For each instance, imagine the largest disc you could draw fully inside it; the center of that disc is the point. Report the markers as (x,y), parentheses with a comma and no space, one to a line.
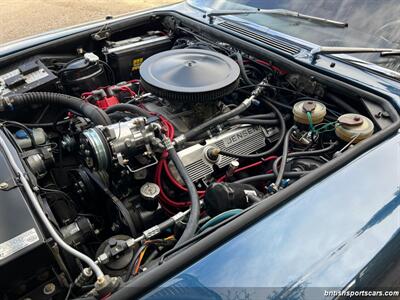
(322,238)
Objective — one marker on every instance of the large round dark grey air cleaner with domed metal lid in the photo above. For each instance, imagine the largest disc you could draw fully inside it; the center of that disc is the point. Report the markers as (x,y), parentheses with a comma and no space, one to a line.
(189,75)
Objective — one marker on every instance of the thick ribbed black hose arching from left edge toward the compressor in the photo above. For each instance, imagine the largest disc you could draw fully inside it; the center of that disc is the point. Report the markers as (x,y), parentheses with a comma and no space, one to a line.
(95,114)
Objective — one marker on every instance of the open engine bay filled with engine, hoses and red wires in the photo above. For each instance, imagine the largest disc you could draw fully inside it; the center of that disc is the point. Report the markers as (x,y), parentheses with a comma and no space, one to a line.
(136,146)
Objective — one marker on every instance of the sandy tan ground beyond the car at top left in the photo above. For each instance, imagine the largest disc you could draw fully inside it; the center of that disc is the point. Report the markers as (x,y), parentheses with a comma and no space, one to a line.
(23,18)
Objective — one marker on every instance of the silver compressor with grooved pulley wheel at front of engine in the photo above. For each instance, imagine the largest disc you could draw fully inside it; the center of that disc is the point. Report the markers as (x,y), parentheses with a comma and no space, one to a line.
(121,144)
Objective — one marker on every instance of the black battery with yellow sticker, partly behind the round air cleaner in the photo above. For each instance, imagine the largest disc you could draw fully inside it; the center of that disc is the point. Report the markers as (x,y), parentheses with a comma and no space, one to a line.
(126,56)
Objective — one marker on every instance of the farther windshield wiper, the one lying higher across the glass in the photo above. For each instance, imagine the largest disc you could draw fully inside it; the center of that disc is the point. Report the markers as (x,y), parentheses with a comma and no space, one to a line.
(279,12)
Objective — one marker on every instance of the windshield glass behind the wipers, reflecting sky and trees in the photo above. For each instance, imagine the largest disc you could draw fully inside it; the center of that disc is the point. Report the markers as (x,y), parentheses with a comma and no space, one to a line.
(372,23)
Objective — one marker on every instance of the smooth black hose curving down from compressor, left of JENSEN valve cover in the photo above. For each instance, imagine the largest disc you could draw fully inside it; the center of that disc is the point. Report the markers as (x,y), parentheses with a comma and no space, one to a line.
(194,215)
